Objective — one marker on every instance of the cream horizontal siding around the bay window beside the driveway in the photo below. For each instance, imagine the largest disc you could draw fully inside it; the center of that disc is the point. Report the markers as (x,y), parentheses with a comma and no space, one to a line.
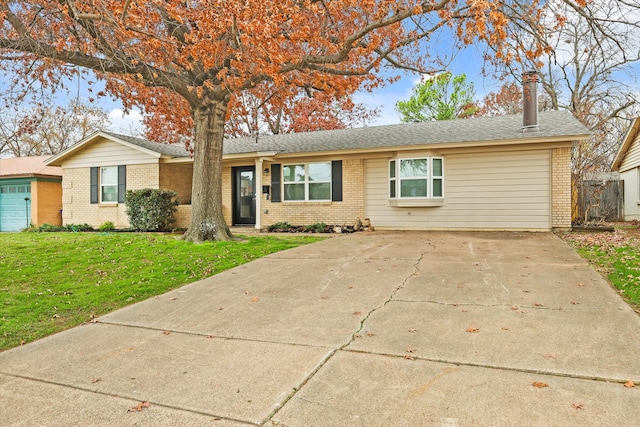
(482,191)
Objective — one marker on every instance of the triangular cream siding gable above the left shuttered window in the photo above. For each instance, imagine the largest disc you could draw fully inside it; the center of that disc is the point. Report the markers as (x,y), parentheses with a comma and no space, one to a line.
(107,153)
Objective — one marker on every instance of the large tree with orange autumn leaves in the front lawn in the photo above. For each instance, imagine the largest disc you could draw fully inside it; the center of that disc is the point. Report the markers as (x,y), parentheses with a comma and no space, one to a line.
(183,61)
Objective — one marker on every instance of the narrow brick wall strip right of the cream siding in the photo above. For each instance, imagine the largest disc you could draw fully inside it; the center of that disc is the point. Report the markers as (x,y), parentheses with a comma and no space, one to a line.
(561,187)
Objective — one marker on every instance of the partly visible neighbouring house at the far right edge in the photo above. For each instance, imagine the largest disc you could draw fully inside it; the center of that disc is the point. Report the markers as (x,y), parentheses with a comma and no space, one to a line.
(627,162)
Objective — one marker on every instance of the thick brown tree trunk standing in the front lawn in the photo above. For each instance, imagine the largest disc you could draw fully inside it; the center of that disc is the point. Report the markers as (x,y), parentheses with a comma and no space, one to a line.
(207,220)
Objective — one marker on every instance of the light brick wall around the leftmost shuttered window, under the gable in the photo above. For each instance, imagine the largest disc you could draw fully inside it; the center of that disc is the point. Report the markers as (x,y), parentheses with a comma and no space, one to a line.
(76,206)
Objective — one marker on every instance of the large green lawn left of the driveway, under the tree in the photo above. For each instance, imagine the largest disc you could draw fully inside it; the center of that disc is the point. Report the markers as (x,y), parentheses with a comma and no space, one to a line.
(53,281)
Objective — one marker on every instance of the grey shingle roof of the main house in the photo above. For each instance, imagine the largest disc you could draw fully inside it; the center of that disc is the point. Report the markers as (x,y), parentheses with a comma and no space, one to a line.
(553,124)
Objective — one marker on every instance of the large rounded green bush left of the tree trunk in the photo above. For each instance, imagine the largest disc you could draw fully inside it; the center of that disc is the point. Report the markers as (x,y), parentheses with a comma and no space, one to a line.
(150,209)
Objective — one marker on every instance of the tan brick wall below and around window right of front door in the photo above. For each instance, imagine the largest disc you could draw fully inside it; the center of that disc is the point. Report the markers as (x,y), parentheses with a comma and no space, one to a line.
(305,213)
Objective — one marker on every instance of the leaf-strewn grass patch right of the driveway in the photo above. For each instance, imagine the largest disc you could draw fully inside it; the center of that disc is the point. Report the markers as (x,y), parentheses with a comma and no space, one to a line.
(616,255)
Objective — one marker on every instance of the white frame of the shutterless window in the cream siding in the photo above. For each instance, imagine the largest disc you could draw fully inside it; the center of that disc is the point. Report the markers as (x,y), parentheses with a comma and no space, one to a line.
(396,183)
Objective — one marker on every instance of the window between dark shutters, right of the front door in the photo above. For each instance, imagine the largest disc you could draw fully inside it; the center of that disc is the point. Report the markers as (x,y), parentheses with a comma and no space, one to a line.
(307,182)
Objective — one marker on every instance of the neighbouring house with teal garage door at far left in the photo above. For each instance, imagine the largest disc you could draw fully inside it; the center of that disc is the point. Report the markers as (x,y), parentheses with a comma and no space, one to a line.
(30,193)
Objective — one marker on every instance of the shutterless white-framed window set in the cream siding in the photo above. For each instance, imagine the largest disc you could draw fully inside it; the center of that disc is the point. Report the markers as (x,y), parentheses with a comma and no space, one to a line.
(418,178)
